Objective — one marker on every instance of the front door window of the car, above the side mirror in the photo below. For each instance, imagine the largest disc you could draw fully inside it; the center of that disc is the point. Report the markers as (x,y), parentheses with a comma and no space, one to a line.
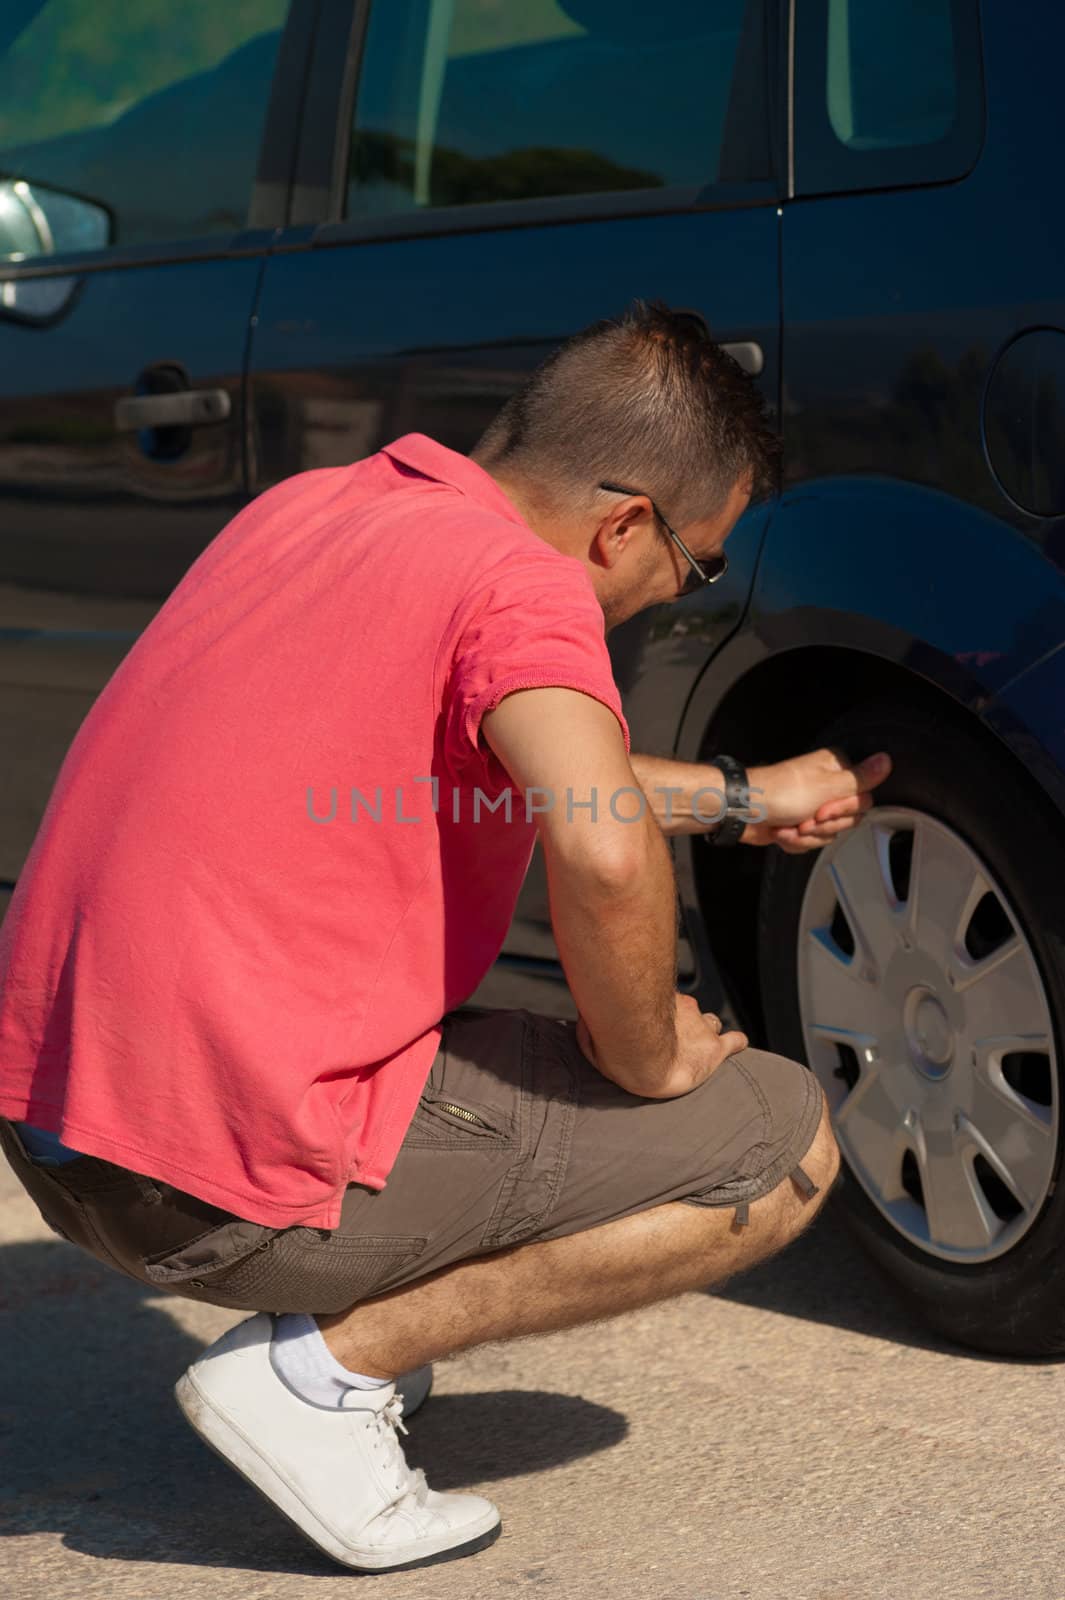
(127,122)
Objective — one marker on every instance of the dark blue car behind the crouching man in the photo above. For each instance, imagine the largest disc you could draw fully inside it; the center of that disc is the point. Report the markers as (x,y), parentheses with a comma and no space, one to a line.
(250,239)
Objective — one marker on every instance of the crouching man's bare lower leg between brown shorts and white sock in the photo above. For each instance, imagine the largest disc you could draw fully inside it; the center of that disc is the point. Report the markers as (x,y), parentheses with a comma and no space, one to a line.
(584,1278)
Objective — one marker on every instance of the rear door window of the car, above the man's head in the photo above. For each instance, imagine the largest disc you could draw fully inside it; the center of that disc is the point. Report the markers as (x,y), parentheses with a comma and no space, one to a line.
(471,102)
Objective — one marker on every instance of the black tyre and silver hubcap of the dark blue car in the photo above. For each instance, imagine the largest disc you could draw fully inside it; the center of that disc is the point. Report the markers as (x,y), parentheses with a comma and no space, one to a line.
(919,966)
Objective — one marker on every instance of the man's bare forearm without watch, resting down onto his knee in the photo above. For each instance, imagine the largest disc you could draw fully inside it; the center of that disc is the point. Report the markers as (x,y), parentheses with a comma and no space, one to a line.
(616,935)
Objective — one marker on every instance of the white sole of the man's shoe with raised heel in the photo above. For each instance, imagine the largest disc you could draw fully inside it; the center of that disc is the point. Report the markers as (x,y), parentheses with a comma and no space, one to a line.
(237,1450)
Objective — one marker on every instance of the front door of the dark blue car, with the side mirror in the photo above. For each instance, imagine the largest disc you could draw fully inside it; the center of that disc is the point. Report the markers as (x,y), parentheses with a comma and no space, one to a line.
(130,138)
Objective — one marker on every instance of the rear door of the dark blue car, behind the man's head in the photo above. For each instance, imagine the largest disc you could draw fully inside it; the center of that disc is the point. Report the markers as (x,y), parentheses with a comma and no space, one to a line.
(479,180)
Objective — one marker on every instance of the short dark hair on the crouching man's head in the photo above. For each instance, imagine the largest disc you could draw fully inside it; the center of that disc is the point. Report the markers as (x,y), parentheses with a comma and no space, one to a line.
(647,399)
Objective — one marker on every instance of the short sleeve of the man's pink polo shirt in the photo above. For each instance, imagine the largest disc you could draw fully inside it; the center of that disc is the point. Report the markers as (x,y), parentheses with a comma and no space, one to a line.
(532,626)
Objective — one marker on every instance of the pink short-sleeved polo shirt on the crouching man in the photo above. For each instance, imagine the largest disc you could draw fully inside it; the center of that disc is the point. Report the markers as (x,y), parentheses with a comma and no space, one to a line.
(260,881)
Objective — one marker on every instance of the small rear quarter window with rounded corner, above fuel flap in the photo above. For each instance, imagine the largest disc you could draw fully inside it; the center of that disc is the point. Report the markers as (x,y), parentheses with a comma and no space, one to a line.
(890,92)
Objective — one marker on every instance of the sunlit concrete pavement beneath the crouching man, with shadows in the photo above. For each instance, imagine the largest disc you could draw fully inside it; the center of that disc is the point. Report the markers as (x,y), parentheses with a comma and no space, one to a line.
(794,1438)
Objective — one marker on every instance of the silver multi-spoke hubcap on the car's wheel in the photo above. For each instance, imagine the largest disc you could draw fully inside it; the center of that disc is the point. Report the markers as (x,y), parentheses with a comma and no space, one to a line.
(928,1025)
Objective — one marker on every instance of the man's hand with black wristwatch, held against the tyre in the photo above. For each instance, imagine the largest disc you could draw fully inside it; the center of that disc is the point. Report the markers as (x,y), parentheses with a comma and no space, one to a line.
(813,798)
